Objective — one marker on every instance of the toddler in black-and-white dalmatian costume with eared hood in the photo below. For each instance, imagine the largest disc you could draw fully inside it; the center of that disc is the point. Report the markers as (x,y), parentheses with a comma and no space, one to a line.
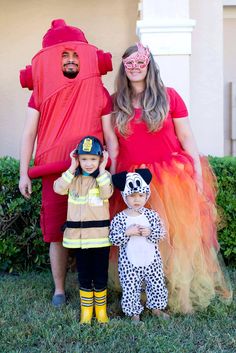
(136,231)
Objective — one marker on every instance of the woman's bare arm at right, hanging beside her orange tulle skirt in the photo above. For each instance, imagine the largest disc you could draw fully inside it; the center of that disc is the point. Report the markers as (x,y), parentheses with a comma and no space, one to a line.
(184,133)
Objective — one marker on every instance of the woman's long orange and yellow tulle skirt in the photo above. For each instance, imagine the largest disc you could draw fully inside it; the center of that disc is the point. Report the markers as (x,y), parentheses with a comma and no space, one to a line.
(189,253)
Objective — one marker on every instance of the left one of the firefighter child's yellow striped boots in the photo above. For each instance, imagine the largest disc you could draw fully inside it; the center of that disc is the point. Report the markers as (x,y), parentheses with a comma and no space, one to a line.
(86,305)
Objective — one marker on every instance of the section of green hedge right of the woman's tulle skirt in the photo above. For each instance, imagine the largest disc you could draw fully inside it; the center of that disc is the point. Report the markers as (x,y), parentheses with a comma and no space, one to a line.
(225,170)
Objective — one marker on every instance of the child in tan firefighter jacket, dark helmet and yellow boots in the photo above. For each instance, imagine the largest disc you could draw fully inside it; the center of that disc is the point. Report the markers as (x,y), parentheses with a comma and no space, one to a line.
(88,186)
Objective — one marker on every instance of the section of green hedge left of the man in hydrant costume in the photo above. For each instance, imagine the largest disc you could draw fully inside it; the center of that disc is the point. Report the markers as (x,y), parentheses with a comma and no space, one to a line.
(21,246)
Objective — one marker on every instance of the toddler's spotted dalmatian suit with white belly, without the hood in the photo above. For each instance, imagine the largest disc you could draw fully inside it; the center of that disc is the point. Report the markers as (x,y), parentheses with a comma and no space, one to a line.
(139,261)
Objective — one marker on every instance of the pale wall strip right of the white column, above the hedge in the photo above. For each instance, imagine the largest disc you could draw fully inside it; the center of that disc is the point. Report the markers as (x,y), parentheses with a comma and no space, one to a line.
(206,76)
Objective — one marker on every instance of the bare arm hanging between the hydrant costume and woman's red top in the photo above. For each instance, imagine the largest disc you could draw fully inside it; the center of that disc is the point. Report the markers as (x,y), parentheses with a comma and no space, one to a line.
(110,140)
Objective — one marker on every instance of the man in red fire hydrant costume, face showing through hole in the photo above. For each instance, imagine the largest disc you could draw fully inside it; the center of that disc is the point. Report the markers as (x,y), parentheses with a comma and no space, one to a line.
(67,103)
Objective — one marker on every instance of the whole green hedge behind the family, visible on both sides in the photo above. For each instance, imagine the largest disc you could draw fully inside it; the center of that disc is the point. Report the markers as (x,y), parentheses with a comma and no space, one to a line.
(21,245)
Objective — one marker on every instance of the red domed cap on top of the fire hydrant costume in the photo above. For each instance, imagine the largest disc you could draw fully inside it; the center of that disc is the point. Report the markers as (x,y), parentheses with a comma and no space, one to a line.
(60,32)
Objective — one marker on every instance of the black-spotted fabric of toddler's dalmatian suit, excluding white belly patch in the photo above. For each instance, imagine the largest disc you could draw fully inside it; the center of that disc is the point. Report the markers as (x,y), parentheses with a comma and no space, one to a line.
(132,277)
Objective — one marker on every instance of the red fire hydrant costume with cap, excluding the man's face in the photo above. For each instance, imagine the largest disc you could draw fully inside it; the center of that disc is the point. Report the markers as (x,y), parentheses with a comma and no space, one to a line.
(69,108)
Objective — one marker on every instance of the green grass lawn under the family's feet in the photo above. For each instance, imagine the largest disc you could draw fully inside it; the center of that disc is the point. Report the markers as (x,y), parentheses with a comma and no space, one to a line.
(28,323)
